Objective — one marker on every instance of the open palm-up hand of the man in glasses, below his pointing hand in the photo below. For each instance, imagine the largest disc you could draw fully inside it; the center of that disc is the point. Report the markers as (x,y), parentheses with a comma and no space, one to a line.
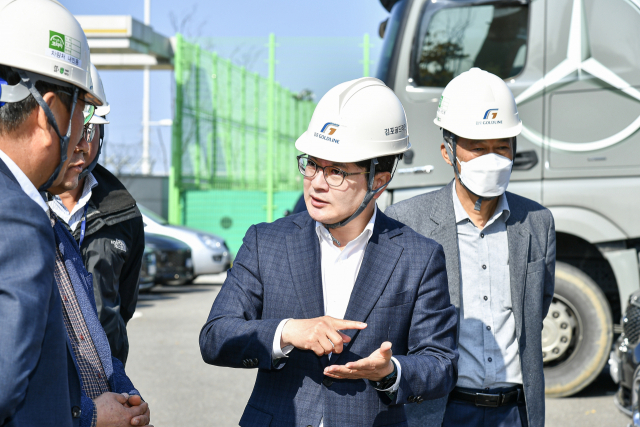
(375,367)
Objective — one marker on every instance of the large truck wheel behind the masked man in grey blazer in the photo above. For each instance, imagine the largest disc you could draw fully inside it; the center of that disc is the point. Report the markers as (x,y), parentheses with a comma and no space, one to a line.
(577,333)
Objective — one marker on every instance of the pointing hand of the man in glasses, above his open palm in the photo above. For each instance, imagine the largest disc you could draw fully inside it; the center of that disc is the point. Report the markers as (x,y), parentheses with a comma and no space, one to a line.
(321,335)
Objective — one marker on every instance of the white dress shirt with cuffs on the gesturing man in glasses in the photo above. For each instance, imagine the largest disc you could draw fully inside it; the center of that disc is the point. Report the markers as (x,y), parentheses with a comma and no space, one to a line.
(340,269)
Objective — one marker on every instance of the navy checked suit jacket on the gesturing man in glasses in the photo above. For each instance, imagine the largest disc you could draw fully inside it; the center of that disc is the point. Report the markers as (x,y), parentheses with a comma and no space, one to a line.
(401,293)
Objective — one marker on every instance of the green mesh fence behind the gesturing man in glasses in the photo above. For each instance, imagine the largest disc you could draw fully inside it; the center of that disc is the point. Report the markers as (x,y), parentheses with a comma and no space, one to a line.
(233,152)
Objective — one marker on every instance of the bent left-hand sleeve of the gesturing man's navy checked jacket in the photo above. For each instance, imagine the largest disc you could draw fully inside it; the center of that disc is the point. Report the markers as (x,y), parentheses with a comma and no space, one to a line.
(235,334)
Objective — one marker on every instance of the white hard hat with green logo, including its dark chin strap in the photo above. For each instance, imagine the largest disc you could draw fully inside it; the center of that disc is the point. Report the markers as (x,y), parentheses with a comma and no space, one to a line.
(42,41)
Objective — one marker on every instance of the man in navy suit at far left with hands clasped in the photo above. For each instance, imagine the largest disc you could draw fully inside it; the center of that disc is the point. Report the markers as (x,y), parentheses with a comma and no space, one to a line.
(45,338)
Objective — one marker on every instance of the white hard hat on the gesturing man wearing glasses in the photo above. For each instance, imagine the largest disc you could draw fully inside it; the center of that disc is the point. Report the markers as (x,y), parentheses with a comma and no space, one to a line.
(357,120)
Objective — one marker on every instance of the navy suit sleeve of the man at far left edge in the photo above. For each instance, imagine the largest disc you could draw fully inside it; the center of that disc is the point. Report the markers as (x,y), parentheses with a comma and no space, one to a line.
(27,251)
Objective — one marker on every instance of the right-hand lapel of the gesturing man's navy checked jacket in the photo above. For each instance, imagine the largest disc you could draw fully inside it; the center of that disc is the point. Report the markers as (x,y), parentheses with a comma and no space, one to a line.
(380,259)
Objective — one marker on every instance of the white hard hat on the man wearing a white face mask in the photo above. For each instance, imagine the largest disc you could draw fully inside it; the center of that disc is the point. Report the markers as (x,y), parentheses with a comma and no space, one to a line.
(478,105)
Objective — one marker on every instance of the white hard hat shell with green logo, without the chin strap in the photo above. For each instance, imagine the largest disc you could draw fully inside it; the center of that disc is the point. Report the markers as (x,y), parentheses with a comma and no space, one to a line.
(44,38)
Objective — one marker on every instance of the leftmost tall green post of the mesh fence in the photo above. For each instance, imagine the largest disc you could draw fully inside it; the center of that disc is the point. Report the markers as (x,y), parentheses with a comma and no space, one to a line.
(175,173)
